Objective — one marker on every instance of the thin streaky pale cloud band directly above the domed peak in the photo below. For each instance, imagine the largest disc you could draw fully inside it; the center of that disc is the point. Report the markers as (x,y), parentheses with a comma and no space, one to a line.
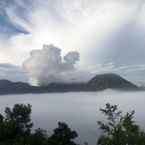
(132,72)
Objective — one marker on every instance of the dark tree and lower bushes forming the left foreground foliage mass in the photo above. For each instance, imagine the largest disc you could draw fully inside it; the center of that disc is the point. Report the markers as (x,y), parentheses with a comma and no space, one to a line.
(16,129)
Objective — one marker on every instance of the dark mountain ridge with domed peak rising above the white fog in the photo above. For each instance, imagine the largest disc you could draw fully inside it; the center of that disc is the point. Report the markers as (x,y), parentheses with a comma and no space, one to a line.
(97,83)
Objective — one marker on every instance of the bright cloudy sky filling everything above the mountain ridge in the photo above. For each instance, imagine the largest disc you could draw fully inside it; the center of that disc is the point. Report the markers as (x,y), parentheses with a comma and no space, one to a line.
(108,35)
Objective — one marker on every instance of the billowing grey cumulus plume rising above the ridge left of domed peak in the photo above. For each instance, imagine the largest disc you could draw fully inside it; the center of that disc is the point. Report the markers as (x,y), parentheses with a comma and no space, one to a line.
(47,66)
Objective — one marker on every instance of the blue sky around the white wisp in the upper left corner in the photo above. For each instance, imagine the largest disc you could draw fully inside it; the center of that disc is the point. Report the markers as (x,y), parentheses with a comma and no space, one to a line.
(7,27)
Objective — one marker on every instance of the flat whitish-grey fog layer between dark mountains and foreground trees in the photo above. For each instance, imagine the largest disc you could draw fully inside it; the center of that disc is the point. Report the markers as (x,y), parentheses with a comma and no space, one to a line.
(79,110)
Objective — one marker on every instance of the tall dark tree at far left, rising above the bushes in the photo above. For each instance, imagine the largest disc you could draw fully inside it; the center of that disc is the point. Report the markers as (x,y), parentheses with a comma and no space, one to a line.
(15,125)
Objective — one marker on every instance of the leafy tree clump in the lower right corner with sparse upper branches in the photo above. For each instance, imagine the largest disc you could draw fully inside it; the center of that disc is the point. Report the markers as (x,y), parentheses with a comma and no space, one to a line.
(119,129)
